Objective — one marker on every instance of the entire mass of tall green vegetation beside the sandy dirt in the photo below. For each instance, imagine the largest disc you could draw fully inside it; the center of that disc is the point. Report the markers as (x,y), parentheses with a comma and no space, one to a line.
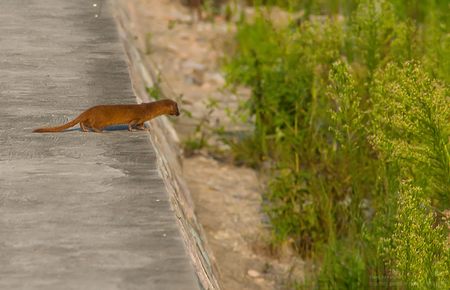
(351,112)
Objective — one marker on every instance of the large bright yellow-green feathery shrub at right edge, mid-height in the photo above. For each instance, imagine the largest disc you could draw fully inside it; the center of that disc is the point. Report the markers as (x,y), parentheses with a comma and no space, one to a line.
(412,116)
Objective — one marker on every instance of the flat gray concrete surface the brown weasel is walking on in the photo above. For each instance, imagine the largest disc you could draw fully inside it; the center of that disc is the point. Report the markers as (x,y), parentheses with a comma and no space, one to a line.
(77,210)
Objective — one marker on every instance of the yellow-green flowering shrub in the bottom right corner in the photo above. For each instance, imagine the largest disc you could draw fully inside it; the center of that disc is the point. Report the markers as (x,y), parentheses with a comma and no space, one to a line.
(421,253)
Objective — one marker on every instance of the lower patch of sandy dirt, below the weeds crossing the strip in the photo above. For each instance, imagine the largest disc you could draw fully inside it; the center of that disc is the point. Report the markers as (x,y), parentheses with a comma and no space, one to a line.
(228,205)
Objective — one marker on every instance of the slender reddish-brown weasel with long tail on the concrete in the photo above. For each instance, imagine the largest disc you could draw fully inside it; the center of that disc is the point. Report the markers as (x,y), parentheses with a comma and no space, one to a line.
(99,117)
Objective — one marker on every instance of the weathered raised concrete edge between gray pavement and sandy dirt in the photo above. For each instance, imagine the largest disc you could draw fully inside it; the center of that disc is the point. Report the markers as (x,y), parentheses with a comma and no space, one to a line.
(166,143)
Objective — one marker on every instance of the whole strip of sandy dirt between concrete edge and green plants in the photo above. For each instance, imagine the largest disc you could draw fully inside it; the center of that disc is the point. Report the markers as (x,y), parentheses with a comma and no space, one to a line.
(227,198)
